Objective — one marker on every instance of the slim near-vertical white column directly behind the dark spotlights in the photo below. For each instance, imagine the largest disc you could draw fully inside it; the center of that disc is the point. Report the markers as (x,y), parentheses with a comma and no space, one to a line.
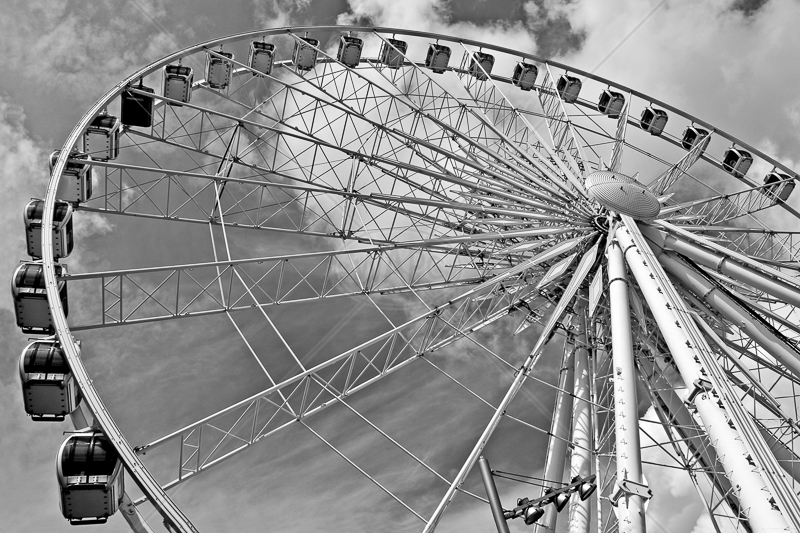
(581,461)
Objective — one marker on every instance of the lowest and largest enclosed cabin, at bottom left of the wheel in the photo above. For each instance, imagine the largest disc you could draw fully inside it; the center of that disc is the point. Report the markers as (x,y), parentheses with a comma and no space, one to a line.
(90,478)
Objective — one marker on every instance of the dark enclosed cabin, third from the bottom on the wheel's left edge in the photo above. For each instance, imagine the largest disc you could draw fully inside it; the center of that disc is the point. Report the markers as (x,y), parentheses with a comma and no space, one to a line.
(30,297)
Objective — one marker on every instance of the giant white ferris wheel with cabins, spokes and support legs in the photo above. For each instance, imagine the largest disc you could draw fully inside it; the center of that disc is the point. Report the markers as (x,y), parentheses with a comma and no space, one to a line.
(330,244)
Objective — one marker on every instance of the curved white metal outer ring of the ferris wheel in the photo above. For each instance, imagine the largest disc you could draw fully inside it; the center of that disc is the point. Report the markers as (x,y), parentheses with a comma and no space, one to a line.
(152,490)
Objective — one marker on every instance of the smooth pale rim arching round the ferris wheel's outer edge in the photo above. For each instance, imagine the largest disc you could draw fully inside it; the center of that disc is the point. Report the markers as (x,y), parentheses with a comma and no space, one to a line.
(61,326)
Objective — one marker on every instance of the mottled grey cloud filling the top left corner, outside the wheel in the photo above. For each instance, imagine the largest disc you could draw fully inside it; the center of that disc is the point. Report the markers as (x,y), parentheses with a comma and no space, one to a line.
(82,48)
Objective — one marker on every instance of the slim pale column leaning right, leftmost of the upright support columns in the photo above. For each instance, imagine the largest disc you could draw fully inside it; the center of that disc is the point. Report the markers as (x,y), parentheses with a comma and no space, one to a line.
(559,433)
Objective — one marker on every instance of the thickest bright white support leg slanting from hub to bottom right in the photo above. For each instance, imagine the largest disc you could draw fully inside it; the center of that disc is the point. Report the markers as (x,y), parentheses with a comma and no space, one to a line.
(753,494)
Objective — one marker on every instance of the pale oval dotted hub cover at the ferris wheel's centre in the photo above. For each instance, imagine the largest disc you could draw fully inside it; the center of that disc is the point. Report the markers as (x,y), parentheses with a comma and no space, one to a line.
(623,194)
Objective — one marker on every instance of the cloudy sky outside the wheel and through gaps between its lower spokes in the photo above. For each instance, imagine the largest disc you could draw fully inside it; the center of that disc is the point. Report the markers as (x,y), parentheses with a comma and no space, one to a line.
(732,63)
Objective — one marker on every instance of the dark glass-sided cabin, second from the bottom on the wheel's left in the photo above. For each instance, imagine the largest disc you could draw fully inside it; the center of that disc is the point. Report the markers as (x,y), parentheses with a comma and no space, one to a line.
(49,390)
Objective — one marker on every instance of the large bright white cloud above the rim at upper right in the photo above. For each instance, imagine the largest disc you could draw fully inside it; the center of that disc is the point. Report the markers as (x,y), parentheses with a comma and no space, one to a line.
(733,73)
